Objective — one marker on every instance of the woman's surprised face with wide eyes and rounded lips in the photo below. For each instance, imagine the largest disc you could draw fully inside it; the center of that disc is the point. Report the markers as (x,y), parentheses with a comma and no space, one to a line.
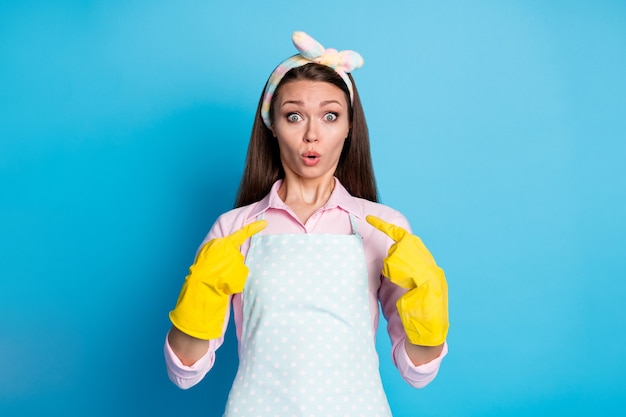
(311,123)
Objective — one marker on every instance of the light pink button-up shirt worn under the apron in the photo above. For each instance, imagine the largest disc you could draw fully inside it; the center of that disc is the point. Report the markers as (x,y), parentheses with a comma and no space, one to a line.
(333,217)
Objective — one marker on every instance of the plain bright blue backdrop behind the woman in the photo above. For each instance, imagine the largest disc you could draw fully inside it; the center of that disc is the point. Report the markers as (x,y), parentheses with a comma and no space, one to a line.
(498,128)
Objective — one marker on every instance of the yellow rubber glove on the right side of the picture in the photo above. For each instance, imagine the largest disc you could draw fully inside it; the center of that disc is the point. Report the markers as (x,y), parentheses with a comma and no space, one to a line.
(424,308)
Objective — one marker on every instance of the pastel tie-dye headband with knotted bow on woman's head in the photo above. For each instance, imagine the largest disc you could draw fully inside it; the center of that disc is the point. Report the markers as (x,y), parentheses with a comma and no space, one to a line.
(311,50)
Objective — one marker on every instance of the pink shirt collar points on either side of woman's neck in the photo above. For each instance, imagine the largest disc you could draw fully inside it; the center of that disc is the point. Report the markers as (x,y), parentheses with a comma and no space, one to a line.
(340,197)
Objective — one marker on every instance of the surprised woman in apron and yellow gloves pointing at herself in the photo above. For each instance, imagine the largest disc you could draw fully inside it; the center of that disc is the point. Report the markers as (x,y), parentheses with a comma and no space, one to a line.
(320,254)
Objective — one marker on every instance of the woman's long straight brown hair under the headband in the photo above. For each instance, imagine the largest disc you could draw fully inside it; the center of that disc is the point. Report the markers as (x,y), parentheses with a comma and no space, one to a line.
(263,166)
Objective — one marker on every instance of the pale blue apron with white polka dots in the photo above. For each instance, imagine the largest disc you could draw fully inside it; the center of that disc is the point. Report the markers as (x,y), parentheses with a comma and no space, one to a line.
(307,347)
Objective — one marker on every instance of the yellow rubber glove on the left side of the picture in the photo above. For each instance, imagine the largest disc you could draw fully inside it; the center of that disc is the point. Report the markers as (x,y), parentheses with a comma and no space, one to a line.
(218,271)
